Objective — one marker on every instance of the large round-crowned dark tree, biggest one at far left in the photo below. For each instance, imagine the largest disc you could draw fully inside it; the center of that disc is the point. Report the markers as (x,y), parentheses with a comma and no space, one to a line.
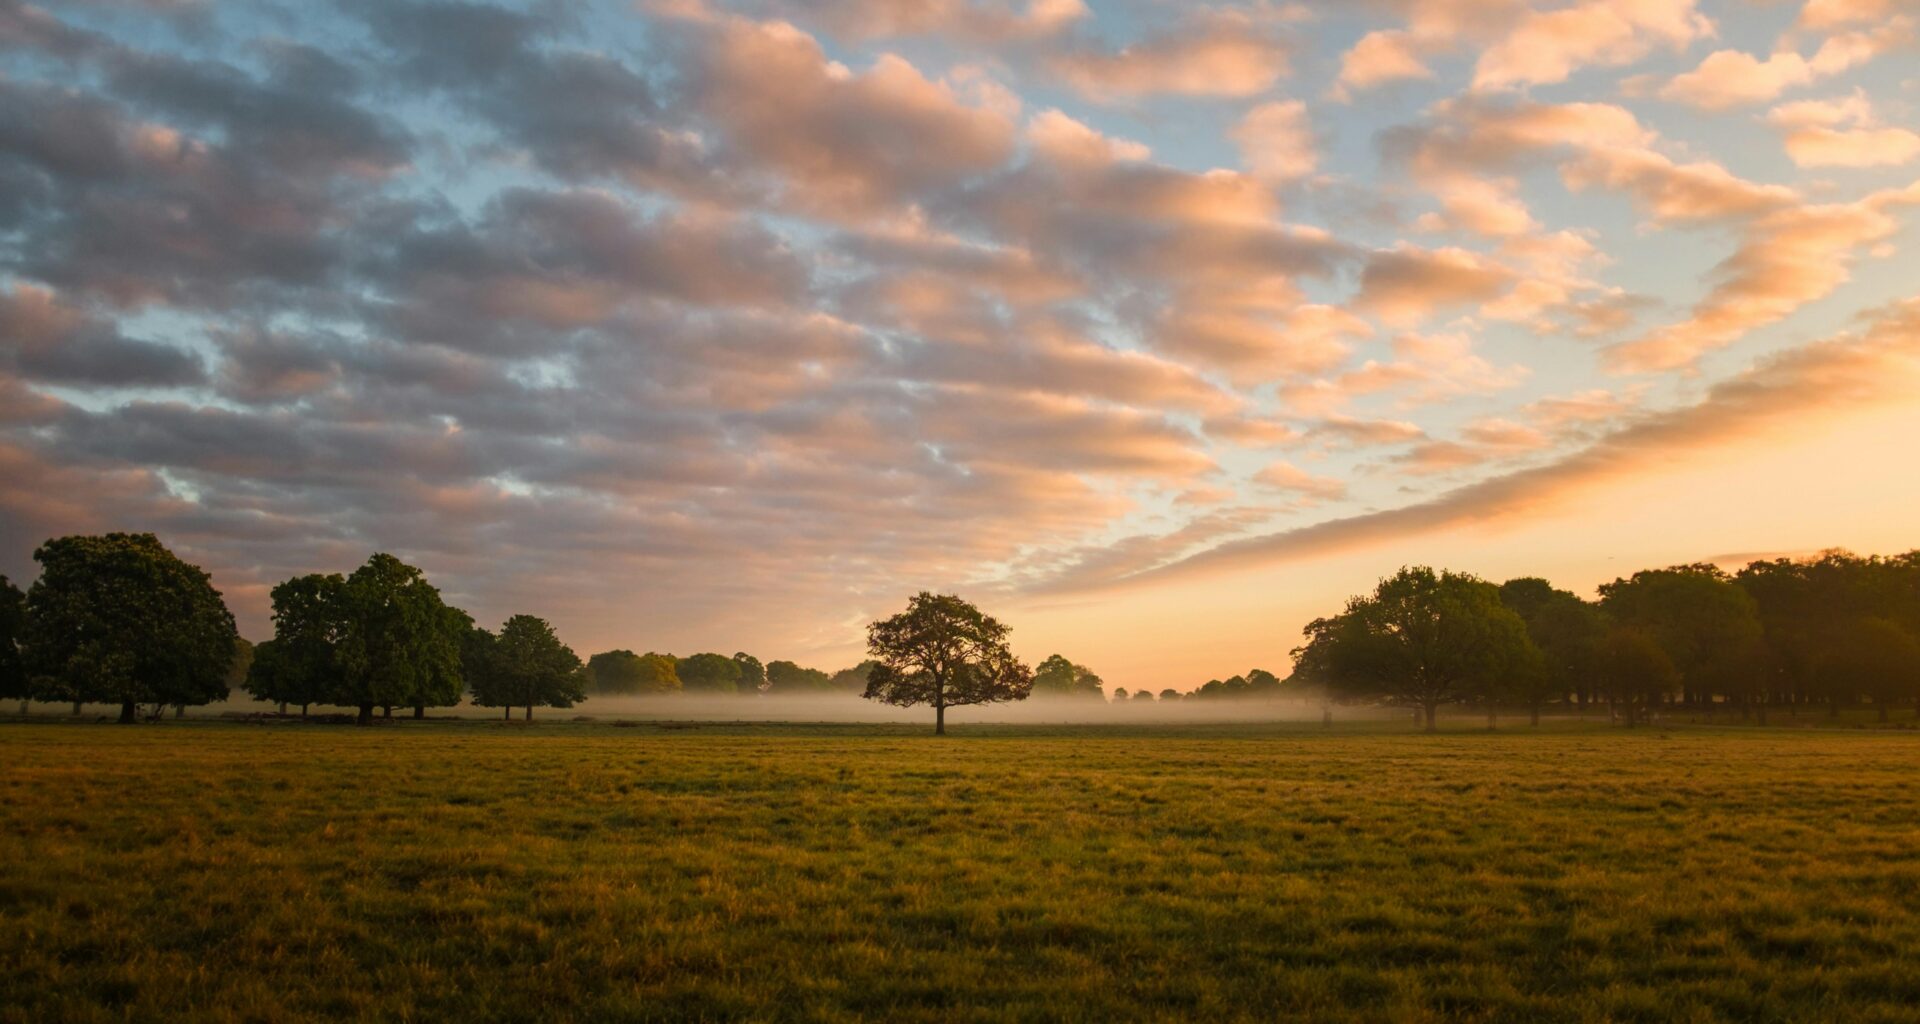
(120,620)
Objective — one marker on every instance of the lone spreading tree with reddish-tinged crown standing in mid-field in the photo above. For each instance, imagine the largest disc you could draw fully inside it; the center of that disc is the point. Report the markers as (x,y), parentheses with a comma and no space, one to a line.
(948,654)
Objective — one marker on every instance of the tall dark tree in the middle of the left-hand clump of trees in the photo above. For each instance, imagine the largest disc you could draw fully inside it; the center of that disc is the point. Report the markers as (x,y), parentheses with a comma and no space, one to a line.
(400,643)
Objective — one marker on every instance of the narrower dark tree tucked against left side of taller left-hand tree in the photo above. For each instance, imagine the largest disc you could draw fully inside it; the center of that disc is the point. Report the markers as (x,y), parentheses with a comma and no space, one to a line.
(300,664)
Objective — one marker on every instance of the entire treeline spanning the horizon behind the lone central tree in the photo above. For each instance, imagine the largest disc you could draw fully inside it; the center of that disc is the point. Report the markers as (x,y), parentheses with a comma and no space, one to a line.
(120,620)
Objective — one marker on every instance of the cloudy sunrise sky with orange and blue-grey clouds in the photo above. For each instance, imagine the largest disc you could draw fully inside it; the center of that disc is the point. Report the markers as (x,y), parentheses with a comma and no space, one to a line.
(1153,328)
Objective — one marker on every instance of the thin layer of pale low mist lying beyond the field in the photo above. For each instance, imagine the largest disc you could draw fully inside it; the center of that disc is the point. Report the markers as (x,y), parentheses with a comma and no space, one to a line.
(834,708)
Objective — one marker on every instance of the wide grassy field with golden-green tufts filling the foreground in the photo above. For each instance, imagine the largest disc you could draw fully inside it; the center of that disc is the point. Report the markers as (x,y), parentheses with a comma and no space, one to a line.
(834,873)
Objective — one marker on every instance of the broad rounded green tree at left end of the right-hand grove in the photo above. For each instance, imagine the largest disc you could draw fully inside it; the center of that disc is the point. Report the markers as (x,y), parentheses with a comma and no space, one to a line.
(1420,641)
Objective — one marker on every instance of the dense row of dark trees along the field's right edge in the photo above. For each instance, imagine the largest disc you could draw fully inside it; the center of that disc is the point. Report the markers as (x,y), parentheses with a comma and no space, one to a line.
(1785,633)
